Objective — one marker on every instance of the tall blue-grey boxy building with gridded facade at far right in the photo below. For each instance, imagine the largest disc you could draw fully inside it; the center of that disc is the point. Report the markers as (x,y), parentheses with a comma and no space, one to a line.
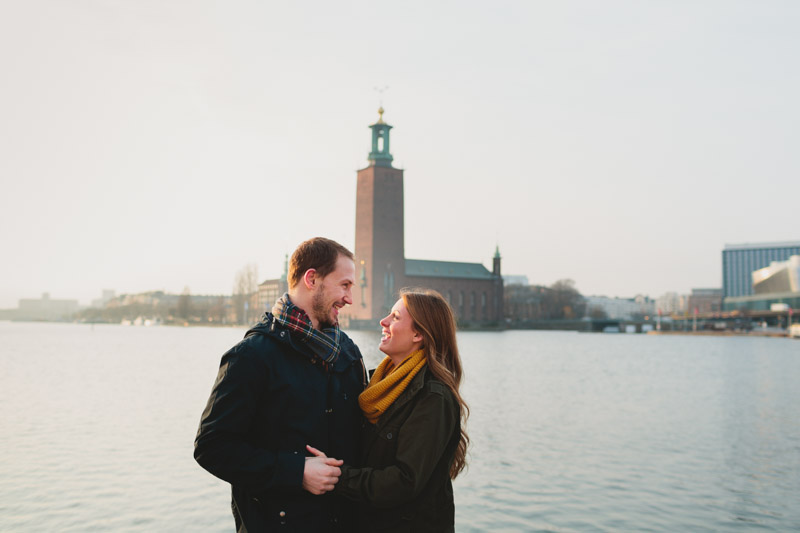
(740,260)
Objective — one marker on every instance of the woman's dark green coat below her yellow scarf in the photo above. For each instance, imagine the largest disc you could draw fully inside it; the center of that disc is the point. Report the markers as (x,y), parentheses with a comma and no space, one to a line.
(404,481)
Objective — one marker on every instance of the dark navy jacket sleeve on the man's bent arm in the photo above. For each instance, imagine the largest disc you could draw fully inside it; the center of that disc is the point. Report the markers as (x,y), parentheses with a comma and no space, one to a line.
(222,446)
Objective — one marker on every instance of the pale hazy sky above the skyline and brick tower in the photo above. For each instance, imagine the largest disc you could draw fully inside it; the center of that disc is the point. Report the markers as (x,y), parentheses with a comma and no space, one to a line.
(164,145)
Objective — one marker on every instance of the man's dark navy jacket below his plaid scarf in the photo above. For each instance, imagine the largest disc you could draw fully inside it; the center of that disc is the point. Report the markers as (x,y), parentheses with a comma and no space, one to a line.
(272,396)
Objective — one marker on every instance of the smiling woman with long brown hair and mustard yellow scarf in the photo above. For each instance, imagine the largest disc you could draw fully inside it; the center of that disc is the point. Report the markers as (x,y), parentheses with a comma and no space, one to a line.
(414,441)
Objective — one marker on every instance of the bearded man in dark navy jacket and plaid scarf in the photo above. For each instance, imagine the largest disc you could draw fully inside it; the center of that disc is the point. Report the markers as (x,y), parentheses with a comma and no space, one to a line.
(293,381)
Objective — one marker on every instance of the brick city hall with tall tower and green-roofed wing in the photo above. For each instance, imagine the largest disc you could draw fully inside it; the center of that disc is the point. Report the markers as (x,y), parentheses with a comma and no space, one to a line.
(474,292)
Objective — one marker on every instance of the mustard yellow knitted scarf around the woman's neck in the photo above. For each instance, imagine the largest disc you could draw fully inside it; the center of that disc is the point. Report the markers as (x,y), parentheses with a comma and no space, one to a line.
(387,383)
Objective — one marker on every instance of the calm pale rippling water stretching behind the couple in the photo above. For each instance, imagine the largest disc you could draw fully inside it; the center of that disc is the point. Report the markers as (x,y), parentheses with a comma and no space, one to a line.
(570,432)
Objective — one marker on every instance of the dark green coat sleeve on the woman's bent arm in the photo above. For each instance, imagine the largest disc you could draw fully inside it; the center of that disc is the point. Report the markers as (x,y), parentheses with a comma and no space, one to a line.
(422,441)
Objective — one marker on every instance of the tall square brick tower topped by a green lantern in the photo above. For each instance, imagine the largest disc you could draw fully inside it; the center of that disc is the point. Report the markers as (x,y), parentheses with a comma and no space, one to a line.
(379,253)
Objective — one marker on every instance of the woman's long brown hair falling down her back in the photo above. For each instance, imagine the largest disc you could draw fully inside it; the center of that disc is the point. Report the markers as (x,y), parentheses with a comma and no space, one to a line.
(434,320)
